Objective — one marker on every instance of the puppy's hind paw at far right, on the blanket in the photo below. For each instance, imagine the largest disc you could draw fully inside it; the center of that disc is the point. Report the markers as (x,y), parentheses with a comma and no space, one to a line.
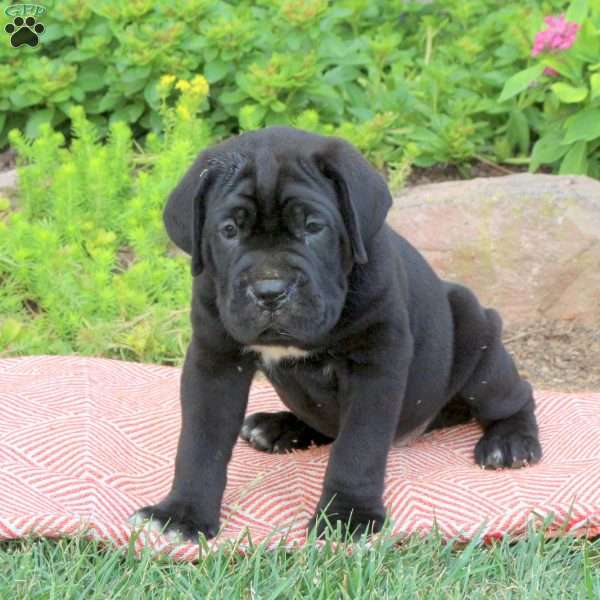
(514,449)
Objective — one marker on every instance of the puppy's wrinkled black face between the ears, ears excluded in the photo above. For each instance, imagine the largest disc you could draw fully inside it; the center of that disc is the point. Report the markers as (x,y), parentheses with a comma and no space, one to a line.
(276,242)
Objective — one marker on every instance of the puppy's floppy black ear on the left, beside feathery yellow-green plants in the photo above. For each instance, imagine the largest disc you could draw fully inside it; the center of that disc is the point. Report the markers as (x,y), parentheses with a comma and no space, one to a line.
(184,213)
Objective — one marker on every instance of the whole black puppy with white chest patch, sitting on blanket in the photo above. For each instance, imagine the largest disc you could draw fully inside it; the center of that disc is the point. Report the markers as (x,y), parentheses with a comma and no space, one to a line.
(296,273)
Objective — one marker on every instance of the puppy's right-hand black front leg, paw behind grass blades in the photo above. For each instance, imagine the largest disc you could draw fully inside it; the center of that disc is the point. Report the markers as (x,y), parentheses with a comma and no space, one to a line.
(353,487)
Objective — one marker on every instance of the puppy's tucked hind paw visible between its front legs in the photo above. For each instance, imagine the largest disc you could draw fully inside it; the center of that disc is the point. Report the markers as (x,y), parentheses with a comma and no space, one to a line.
(280,432)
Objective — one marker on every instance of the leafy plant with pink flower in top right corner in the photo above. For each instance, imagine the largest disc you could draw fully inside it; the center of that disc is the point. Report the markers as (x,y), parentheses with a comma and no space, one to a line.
(564,82)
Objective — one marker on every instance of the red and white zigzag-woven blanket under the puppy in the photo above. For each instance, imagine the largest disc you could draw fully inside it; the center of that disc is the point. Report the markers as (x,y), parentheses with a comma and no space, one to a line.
(86,441)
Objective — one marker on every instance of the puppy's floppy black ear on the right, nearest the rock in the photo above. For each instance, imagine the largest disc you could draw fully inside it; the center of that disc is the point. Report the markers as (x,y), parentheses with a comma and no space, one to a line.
(363,194)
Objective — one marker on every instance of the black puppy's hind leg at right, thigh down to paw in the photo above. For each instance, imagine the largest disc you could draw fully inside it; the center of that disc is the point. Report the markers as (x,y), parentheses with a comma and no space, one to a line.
(499,398)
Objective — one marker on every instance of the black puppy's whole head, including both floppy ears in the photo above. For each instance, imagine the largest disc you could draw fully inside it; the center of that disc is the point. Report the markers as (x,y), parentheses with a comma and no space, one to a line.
(278,218)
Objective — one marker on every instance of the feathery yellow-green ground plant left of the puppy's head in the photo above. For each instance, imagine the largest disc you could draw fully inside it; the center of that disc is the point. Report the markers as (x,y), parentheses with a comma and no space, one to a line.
(84,262)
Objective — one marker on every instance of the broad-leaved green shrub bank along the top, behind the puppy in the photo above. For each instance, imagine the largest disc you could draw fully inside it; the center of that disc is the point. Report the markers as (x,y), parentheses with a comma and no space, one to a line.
(401,79)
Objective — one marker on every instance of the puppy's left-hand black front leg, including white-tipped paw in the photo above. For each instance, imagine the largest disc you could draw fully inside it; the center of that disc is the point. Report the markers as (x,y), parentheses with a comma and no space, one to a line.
(214,394)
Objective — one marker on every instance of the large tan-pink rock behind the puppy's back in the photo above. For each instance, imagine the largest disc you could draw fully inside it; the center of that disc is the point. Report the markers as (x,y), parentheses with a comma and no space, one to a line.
(528,245)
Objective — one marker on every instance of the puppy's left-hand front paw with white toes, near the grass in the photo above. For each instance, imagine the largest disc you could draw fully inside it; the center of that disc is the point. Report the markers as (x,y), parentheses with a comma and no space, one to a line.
(180,521)
